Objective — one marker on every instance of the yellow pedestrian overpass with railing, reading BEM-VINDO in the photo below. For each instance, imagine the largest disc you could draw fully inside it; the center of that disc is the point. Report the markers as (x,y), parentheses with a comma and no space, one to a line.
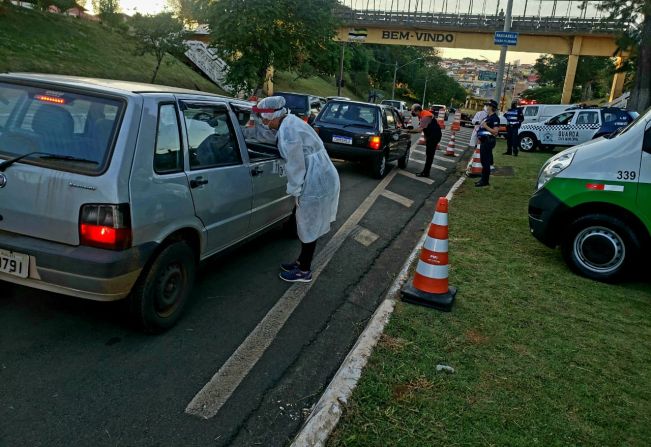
(574,28)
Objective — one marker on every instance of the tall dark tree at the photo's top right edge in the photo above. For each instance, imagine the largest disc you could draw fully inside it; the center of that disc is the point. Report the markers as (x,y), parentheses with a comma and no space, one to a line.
(635,38)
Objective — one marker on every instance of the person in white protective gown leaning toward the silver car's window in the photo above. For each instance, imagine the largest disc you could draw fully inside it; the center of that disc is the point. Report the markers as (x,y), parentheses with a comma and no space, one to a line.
(311,178)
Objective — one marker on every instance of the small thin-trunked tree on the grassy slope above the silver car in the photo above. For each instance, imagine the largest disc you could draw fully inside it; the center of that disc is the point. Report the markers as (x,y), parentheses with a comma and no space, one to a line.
(158,35)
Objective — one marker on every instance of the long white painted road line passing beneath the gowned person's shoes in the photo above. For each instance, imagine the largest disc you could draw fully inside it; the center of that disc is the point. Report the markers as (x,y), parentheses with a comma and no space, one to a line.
(223,384)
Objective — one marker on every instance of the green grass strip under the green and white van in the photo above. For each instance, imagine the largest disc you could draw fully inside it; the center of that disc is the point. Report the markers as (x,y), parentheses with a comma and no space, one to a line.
(542,356)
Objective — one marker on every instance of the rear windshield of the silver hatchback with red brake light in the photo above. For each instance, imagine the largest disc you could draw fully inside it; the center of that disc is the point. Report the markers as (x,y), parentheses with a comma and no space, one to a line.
(77,129)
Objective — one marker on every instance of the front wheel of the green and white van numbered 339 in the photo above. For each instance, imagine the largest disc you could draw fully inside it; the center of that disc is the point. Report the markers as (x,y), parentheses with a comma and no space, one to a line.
(600,247)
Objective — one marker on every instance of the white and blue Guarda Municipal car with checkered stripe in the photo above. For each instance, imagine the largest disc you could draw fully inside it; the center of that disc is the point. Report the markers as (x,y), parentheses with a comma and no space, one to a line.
(573,126)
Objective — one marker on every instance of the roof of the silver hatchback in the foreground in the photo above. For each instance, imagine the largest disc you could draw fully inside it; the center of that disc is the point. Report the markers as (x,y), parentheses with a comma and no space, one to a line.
(113,85)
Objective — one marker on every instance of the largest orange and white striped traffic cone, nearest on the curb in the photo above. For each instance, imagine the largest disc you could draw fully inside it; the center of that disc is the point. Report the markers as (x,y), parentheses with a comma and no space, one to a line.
(430,286)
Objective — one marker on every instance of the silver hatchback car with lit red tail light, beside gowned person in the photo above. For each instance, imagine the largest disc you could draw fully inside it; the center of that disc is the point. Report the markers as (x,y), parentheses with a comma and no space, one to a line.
(113,190)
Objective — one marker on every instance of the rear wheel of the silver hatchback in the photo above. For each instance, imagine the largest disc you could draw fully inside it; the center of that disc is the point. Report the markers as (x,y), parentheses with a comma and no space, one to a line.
(162,290)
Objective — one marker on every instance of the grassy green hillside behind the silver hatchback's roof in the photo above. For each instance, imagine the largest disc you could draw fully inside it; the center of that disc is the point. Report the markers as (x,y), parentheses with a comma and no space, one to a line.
(50,43)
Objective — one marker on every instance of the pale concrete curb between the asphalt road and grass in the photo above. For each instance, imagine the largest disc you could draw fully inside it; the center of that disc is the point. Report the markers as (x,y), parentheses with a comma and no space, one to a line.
(328,409)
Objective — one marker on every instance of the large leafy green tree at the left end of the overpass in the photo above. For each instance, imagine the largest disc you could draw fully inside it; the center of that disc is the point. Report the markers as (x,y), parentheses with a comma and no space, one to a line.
(286,34)
